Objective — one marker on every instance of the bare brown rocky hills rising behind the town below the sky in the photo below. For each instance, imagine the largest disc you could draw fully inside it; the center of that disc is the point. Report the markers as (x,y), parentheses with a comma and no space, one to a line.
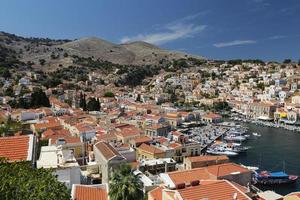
(47,54)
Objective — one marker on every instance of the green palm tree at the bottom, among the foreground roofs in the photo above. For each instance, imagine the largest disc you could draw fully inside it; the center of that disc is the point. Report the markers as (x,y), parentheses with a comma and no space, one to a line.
(124,185)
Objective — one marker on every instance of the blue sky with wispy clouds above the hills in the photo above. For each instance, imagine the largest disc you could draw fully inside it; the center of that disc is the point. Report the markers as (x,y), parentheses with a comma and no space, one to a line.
(216,29)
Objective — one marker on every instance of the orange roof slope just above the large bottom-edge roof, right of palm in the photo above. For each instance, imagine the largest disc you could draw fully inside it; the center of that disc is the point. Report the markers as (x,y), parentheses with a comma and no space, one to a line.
(188,176)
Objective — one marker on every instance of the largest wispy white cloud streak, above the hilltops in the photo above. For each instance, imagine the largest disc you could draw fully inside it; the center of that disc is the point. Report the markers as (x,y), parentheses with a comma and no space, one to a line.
(173,32)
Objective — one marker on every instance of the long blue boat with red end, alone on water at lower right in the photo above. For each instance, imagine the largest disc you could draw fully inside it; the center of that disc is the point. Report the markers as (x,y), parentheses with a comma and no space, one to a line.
(273,178)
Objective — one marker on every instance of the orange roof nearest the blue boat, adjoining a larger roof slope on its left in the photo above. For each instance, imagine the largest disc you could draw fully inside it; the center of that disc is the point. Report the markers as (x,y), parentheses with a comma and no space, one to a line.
(226,169)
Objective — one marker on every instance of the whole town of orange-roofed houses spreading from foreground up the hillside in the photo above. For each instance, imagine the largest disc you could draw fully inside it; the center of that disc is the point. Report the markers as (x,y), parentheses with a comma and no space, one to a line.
(86,131)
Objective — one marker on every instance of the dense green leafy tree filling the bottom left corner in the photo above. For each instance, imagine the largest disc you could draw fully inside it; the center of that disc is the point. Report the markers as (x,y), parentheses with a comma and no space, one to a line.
(20,181)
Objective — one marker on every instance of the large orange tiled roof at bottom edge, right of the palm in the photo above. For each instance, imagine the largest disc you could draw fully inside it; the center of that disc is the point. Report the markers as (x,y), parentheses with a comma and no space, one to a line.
(219,190)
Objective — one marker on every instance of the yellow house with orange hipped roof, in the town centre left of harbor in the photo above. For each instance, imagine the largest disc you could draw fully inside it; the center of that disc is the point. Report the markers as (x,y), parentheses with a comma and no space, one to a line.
(146,151)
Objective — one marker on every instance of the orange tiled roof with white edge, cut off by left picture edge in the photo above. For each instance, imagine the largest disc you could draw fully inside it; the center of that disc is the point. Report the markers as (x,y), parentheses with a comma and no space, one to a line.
(15,148)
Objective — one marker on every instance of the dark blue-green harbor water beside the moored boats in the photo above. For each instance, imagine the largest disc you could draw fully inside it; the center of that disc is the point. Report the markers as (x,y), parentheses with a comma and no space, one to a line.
(276,150)
